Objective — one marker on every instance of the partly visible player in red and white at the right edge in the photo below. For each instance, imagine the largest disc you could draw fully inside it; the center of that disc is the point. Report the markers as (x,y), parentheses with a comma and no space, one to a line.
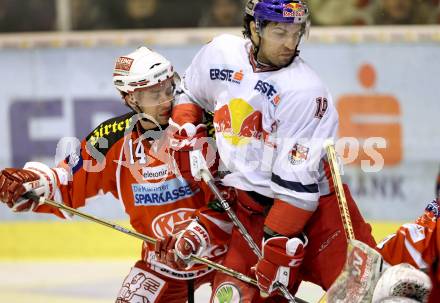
(416,244)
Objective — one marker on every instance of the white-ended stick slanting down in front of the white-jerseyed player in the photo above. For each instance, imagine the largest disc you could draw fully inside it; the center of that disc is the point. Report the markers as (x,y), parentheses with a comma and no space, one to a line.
(200,170)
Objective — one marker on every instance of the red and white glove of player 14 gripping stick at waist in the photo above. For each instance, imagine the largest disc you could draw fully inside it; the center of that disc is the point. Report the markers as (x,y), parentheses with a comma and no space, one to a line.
(188,238)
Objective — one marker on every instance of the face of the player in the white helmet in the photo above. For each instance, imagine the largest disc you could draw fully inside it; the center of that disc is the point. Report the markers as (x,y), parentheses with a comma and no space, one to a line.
(156,101)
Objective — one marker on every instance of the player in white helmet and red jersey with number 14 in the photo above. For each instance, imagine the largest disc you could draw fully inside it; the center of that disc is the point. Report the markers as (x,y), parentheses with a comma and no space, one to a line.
(124,156)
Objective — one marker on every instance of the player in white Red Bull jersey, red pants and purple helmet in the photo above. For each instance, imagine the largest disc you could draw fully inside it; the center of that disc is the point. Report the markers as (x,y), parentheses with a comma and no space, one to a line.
(271,115)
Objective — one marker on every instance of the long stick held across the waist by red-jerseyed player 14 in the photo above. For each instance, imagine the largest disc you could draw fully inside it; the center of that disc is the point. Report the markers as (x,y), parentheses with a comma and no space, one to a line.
(209,263)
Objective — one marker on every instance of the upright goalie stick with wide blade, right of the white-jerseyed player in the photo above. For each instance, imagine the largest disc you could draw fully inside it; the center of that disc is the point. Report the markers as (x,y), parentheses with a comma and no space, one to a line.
(362,268)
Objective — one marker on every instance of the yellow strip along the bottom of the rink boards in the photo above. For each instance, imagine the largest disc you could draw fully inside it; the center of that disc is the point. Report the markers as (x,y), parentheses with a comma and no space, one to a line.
(83,240)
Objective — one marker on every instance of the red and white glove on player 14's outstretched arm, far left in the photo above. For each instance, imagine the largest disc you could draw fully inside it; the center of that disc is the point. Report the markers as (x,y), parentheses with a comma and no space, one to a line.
(14,183)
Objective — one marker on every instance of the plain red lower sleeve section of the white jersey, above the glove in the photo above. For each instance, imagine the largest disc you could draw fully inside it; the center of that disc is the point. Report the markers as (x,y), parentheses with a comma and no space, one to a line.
(286,219)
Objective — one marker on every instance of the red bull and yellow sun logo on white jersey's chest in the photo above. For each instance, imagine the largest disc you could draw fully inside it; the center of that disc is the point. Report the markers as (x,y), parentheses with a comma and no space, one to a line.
(238,122)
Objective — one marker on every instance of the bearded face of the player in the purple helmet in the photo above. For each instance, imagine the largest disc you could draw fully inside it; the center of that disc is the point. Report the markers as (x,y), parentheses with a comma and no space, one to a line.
(278,43)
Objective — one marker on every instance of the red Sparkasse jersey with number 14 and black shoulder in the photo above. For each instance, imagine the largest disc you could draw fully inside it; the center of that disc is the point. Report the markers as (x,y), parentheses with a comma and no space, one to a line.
(130,164)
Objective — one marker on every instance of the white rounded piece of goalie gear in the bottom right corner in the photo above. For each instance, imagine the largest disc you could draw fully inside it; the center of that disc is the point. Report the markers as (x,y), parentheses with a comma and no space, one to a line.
(402,280)
